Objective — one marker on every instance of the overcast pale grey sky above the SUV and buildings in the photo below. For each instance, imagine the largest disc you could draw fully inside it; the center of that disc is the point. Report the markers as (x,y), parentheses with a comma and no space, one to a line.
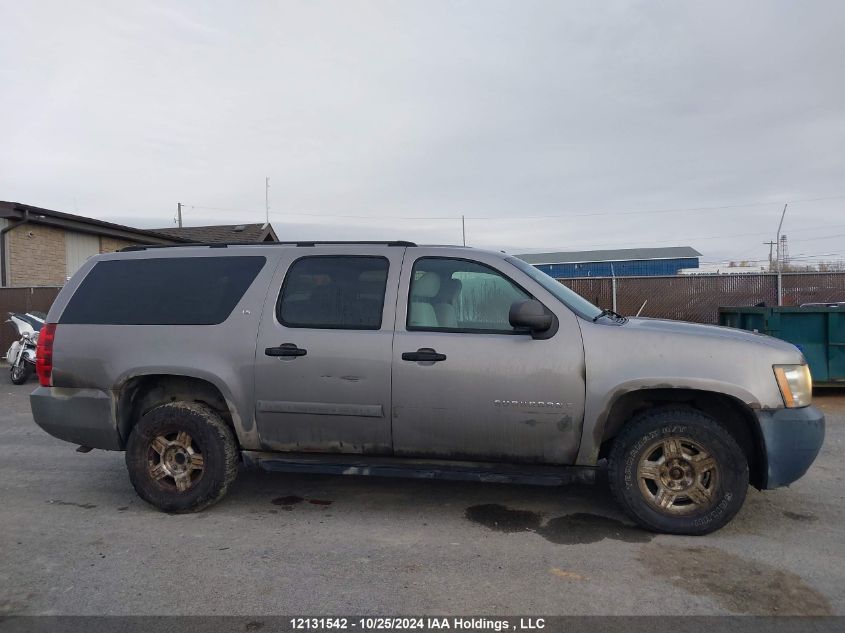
(415,111)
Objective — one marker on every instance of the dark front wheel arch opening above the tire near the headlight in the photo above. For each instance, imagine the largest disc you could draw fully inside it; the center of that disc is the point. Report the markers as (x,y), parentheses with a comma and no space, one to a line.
(734,415)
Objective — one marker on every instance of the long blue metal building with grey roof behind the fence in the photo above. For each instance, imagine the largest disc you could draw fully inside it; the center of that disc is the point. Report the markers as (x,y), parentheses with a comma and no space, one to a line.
(626,262)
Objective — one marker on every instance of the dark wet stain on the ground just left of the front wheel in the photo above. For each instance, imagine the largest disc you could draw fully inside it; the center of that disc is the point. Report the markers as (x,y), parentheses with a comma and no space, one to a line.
(571,529)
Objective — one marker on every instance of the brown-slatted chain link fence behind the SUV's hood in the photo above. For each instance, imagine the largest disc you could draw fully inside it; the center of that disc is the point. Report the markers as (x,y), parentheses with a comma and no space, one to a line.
(698,298)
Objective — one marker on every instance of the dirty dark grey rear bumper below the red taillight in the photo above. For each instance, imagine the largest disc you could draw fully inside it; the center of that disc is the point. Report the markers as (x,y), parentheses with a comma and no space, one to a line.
(80,416)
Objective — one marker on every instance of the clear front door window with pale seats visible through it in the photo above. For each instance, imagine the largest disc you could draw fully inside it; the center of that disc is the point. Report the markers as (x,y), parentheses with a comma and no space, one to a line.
(460,295)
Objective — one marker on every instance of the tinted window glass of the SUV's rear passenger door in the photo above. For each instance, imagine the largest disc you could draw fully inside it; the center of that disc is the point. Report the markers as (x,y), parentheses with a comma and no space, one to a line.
(329,292)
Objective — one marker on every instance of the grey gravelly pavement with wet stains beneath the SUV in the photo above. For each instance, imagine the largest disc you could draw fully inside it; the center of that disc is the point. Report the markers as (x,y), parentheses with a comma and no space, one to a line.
(75,539)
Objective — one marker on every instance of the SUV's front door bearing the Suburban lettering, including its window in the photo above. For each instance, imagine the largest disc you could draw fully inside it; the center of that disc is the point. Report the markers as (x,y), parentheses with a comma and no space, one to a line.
(466,385)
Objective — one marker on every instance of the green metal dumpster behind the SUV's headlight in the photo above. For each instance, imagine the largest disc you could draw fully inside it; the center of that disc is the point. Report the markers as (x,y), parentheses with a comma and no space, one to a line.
(817,330)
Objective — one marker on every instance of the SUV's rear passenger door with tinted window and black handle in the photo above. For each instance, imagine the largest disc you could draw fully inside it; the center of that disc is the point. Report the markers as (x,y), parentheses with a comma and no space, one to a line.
(322,365)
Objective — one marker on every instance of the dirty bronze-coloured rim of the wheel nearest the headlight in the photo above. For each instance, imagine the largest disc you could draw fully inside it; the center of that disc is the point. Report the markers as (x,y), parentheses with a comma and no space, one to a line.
(678,476)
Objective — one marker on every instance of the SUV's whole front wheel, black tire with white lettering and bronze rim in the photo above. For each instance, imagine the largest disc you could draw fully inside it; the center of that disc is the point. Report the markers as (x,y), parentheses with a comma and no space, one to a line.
(678,471)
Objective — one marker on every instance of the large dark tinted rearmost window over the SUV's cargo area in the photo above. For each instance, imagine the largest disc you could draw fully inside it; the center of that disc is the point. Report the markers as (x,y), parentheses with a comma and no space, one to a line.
(162,291)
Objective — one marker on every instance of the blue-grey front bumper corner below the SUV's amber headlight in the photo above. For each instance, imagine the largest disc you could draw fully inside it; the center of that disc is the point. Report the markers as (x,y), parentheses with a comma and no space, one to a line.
(792,439)
